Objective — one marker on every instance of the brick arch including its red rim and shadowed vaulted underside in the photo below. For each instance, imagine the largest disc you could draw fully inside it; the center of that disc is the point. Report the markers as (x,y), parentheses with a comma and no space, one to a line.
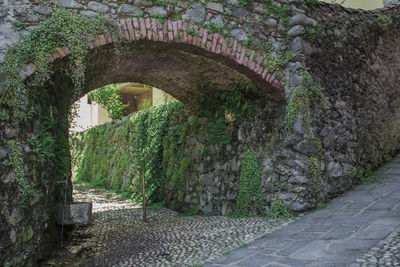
(216,59)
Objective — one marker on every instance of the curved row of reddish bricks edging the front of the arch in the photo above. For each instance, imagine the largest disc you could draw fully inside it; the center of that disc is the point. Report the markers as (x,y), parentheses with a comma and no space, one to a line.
(169,31)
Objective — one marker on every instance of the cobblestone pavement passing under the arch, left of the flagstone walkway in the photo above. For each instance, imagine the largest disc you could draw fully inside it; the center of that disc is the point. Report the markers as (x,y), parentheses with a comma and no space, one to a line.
(118,237)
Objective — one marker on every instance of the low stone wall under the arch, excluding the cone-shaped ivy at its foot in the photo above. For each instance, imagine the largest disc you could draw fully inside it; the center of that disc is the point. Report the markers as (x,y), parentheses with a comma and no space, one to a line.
(108,155)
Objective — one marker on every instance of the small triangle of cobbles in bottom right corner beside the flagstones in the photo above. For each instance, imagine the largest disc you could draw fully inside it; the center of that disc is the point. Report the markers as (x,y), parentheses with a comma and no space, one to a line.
(384,253)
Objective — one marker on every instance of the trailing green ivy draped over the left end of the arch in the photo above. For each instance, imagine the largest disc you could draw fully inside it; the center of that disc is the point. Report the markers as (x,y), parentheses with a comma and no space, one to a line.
(63,29)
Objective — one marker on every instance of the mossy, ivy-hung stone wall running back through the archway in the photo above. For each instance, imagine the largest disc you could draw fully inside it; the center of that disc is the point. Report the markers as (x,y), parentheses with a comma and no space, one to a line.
(191,162)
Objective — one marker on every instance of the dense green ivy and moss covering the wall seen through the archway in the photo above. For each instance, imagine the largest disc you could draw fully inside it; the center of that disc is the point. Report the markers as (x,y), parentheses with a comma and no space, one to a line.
(150,140)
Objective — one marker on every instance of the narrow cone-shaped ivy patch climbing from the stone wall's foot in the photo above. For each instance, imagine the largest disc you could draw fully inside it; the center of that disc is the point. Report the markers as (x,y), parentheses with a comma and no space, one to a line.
(250,194)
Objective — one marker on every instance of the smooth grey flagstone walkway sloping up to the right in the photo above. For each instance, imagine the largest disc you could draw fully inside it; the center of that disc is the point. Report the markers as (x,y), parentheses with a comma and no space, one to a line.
(335,236)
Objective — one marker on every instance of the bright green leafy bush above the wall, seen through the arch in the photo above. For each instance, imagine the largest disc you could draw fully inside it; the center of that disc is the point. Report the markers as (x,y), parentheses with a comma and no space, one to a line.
(108,97)
